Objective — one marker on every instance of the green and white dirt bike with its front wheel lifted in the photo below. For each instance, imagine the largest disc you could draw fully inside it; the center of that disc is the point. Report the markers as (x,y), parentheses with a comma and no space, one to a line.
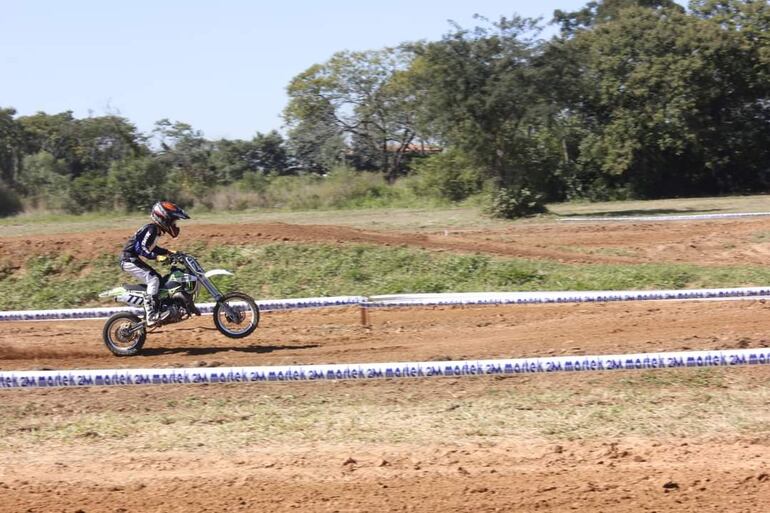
(236,315)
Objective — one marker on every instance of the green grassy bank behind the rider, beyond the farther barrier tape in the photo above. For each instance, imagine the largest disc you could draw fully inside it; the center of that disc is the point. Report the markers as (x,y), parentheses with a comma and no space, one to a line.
(302,270)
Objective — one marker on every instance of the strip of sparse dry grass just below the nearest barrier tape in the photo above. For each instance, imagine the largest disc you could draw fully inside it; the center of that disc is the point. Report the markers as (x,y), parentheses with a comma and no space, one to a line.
(657,405)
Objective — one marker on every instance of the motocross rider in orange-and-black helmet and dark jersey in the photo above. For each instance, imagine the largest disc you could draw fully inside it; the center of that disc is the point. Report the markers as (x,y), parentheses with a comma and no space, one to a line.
(164,215)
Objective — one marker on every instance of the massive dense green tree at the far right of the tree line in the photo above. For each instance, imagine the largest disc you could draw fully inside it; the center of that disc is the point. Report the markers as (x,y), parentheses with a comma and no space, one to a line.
(670,110)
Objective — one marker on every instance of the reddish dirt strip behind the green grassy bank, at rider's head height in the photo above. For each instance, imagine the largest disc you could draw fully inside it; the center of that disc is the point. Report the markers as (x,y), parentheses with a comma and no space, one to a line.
(709,242)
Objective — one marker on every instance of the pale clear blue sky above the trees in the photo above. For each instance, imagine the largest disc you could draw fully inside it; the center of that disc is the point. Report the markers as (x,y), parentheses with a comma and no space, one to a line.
(221,66)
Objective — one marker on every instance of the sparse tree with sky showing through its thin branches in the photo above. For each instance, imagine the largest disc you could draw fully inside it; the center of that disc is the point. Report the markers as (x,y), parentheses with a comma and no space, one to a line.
(363,96)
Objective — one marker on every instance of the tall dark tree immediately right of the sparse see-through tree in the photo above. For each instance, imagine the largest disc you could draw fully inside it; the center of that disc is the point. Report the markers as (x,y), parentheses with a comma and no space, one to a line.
(480,94)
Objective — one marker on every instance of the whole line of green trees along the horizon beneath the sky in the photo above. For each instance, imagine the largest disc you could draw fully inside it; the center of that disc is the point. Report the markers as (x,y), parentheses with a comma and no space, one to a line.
(631,99)
